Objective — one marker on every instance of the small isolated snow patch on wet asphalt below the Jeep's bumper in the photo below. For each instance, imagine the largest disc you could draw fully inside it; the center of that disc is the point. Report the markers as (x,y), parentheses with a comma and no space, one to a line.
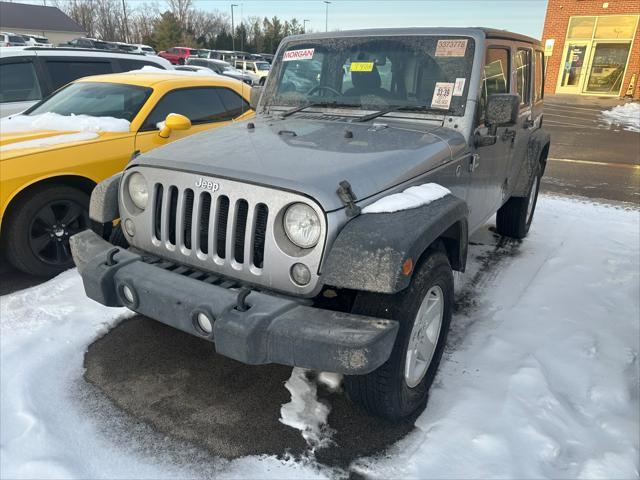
(304,412)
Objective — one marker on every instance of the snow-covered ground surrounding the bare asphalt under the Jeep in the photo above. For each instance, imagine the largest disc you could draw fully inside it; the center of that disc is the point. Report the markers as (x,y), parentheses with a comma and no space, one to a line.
(540,378)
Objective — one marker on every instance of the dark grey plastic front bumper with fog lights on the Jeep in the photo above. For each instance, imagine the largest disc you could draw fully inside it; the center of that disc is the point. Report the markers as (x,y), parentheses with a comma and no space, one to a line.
(274,329)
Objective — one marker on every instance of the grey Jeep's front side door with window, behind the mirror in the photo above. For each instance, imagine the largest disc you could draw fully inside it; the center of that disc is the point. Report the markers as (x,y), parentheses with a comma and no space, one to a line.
(488,167)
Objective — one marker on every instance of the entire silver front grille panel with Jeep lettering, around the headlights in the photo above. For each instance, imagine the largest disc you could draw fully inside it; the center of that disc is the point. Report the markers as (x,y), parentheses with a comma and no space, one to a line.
(228,228)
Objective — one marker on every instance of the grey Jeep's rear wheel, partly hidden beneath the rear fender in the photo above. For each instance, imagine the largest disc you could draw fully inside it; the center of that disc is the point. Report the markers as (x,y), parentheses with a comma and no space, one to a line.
(514,217)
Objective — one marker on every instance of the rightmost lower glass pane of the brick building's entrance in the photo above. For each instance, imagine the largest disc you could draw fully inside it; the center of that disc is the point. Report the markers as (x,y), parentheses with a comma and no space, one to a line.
(607,67)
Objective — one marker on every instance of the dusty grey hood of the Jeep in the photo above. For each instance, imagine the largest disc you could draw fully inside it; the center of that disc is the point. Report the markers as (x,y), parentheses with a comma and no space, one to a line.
(312,156)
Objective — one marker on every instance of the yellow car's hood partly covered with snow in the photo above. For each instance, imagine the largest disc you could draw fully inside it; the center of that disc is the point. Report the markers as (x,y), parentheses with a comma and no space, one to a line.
(16,144)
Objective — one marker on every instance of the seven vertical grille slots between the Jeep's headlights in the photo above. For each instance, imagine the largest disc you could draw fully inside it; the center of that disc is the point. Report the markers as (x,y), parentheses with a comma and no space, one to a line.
(206,222)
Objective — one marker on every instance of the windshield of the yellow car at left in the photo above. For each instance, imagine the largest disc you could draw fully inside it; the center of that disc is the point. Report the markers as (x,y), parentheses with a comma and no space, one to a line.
(95,99)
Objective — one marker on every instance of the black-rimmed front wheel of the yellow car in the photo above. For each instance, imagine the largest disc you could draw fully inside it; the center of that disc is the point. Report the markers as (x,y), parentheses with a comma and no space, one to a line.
(39,227)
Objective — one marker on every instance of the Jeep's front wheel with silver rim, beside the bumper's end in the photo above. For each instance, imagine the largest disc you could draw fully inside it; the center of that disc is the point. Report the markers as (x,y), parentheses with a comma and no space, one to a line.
(400,386)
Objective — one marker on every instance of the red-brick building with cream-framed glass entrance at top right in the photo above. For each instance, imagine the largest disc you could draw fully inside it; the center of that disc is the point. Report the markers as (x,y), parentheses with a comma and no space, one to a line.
(592,47)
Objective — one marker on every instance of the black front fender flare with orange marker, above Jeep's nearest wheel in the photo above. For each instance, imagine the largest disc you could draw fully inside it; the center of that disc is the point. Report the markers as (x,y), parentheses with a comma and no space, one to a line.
(372,252)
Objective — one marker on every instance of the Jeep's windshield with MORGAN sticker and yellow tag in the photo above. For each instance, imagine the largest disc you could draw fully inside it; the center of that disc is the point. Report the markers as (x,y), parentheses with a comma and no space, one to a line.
(418,73)
